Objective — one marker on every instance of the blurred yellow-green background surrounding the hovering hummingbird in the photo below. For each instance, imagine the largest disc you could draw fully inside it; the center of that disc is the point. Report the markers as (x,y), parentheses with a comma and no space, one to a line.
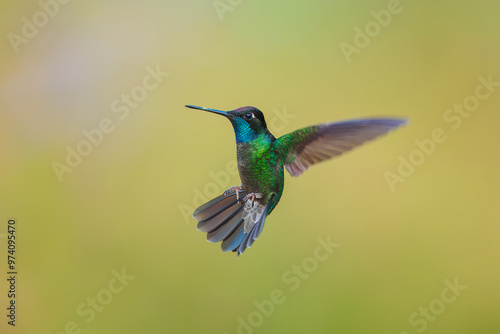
(124,205)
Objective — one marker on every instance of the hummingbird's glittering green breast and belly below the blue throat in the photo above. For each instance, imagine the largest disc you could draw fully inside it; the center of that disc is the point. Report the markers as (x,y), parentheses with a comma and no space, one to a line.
(259,169)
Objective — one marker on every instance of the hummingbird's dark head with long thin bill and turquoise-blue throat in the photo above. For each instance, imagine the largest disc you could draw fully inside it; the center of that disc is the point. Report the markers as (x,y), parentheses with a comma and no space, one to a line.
(248,122)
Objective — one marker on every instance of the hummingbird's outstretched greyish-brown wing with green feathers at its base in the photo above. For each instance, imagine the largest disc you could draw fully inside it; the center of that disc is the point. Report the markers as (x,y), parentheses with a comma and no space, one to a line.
(317,143)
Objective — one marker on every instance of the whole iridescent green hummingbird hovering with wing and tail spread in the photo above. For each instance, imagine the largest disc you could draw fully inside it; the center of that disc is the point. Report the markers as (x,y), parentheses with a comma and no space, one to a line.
(237,216)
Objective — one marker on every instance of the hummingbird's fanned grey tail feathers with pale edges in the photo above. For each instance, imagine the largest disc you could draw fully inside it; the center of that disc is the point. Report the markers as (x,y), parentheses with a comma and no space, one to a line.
(225,219)
